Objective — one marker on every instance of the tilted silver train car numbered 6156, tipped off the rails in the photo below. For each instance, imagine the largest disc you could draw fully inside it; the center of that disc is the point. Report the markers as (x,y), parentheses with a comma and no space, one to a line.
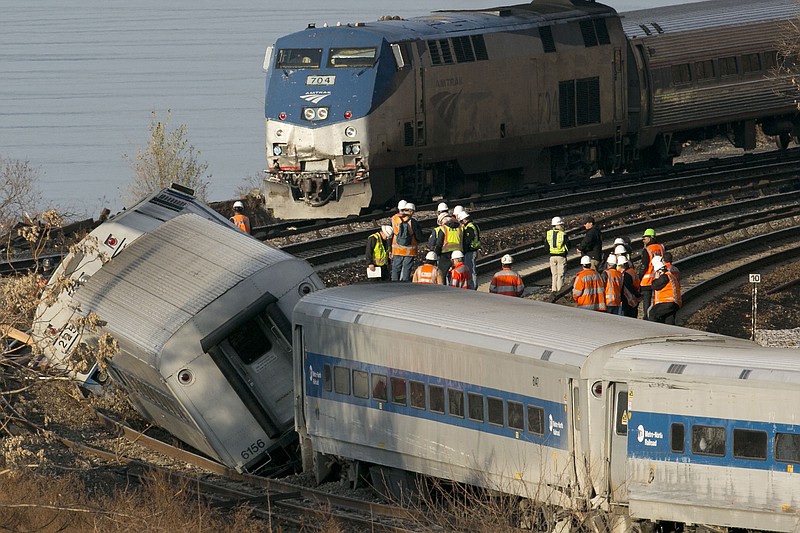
(200,312)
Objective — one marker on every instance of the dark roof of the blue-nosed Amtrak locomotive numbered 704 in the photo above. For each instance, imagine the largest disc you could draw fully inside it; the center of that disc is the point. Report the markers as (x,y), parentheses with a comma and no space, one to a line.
(472,21)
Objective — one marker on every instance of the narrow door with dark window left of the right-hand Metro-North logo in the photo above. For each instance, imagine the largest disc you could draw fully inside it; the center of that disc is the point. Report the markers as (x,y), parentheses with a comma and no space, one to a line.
(618,441)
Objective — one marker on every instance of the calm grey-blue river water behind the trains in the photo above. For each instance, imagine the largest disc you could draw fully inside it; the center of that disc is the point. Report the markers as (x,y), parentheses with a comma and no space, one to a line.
(80,79)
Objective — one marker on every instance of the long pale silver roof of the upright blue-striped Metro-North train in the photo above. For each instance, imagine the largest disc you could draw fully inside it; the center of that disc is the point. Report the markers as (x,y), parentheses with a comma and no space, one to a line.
(471,318)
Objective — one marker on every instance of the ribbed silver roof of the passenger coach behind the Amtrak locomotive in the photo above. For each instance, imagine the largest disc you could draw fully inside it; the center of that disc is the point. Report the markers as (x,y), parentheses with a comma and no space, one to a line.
(708,15)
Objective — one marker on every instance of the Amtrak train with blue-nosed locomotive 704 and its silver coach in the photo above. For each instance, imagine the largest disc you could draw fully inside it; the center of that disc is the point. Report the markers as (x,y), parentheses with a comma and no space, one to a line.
(464,102)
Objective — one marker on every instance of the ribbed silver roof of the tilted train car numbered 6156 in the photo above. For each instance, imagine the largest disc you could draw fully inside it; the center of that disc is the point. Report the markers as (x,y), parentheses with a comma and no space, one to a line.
(166,277)
